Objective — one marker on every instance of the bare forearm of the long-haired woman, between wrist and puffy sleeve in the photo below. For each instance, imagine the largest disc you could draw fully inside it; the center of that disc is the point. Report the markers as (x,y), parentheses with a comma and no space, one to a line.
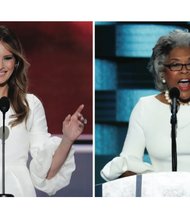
(59,157)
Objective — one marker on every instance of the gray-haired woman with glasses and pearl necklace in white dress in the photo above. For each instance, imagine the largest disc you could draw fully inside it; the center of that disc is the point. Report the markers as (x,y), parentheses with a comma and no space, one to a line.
(149,124)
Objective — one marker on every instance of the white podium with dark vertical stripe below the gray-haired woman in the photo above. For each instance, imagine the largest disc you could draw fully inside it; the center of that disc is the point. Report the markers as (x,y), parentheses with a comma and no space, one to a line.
(157,184)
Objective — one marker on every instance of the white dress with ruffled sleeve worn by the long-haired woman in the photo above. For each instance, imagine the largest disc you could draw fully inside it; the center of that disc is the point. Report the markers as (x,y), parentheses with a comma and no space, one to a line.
(33,137)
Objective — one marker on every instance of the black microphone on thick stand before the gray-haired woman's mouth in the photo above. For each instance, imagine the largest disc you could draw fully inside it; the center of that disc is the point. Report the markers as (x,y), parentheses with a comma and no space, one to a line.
(174,94)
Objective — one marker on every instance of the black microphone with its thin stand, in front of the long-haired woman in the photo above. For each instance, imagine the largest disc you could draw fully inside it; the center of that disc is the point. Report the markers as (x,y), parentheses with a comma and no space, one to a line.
(4,107)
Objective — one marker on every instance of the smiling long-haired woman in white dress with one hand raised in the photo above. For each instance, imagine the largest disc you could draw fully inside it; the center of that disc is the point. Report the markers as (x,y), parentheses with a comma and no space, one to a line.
(52,160)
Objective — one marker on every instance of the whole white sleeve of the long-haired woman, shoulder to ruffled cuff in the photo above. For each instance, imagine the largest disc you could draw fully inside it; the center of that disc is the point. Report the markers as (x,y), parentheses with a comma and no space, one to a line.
(42,149)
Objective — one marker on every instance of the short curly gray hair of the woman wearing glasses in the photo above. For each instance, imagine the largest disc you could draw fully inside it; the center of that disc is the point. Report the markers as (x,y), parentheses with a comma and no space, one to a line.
(176,38)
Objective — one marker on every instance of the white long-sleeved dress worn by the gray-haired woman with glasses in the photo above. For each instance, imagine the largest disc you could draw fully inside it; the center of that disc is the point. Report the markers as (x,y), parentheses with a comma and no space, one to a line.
(150,128)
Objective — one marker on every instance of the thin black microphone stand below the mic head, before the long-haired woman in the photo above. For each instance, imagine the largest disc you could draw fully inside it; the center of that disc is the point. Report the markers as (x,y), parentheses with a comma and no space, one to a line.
(4,109)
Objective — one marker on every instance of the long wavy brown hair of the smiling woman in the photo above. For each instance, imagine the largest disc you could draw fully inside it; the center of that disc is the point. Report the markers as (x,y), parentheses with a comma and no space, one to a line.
(18,82)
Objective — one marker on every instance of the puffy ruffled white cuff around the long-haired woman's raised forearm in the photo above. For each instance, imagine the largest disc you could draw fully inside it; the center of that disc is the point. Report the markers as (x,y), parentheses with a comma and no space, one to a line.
(41,162)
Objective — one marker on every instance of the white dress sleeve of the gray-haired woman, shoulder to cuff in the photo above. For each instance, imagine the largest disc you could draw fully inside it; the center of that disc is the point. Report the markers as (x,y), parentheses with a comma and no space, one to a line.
(131,157)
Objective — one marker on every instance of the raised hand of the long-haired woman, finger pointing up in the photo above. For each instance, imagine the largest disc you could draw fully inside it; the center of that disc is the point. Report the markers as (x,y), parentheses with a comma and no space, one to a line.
(73,125)
